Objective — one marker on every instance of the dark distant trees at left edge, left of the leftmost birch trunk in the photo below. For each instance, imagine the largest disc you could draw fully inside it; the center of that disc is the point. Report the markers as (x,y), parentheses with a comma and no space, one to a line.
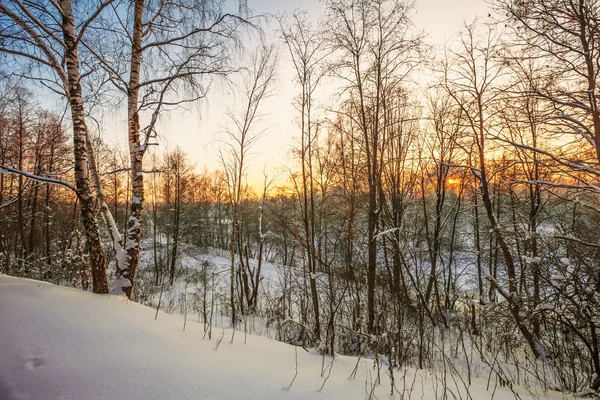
(32,211)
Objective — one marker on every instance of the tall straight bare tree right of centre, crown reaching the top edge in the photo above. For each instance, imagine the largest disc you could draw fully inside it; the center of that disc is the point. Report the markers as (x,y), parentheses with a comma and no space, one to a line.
(376,53)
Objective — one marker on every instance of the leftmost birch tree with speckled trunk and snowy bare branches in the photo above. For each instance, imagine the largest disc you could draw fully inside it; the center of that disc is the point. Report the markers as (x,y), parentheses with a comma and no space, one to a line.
(48,38)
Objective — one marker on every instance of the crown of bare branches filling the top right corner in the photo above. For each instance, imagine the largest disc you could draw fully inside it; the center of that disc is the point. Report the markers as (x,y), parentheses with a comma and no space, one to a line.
(563,36)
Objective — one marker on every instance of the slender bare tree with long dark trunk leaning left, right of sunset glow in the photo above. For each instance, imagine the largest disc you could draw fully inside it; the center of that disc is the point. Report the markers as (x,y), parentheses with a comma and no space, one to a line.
(472,80)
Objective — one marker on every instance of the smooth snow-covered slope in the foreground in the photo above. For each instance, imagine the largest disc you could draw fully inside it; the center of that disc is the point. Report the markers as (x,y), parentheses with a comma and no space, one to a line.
(59,343)
